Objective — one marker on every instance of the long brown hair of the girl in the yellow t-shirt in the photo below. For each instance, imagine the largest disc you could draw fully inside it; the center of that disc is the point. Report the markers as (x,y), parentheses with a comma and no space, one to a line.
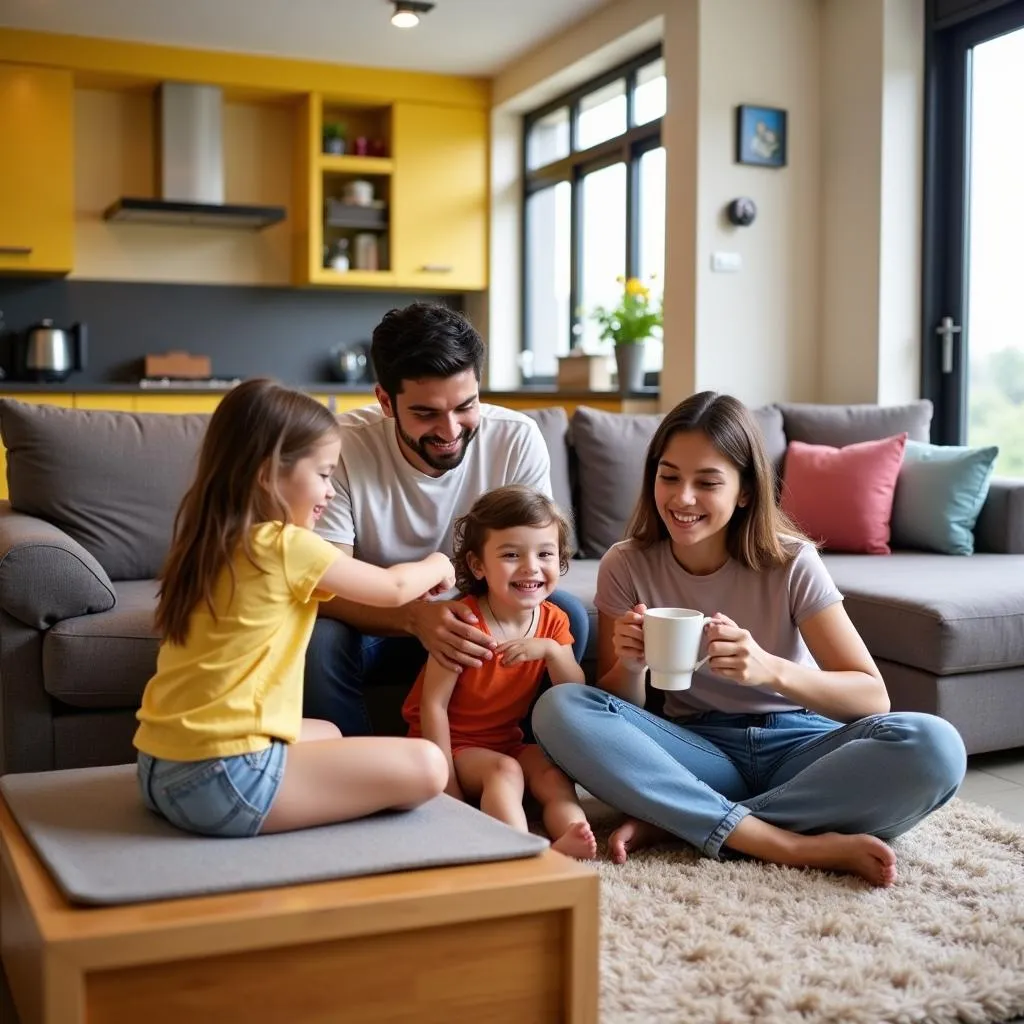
(259,431)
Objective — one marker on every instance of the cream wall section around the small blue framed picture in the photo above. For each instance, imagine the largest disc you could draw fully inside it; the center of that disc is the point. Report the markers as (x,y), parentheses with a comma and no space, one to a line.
(757,331)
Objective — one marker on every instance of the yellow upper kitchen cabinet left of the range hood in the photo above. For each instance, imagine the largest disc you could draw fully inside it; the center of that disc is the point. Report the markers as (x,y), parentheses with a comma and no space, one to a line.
(37,170)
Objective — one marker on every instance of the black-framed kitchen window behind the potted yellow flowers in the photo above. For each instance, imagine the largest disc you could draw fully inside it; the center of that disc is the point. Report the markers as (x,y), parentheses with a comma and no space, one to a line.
(593,209)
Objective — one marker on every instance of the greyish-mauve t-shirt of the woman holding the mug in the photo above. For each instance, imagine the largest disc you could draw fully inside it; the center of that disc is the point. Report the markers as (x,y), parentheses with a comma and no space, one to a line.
(772,605)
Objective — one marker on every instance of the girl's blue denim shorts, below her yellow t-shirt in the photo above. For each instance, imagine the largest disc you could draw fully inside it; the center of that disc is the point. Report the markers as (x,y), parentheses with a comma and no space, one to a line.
(225,797)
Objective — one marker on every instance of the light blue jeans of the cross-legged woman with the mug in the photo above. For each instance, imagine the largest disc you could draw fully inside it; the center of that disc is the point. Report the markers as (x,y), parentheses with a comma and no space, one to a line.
(797,771)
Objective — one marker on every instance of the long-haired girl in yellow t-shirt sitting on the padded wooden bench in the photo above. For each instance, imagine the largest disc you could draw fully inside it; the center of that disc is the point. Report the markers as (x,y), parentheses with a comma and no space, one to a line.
(224,749)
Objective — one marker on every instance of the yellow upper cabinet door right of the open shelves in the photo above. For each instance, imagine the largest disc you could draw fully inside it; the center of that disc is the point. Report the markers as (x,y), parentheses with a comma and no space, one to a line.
(440,197)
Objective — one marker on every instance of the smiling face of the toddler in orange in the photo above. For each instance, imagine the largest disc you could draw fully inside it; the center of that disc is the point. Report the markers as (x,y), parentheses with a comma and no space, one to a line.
(521,566)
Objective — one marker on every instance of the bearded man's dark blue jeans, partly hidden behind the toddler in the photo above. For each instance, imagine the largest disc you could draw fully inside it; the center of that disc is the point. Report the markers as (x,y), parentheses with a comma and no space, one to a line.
(342,664)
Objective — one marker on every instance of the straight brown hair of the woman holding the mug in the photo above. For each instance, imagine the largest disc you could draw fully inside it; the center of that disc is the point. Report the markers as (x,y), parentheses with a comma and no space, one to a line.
(758,532)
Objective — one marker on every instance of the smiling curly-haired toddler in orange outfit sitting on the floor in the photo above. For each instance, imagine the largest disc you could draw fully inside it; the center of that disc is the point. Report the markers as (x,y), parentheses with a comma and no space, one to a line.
(510,550)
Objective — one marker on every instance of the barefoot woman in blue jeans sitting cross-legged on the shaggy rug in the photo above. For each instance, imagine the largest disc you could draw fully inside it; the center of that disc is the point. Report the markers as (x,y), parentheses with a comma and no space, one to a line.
(753,757)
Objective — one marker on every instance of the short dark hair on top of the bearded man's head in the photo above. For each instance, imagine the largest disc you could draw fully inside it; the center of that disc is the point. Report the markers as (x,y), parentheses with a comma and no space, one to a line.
(425,339)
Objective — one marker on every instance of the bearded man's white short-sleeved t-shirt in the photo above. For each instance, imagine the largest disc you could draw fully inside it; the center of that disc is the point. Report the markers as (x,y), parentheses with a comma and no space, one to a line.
(392,513)
